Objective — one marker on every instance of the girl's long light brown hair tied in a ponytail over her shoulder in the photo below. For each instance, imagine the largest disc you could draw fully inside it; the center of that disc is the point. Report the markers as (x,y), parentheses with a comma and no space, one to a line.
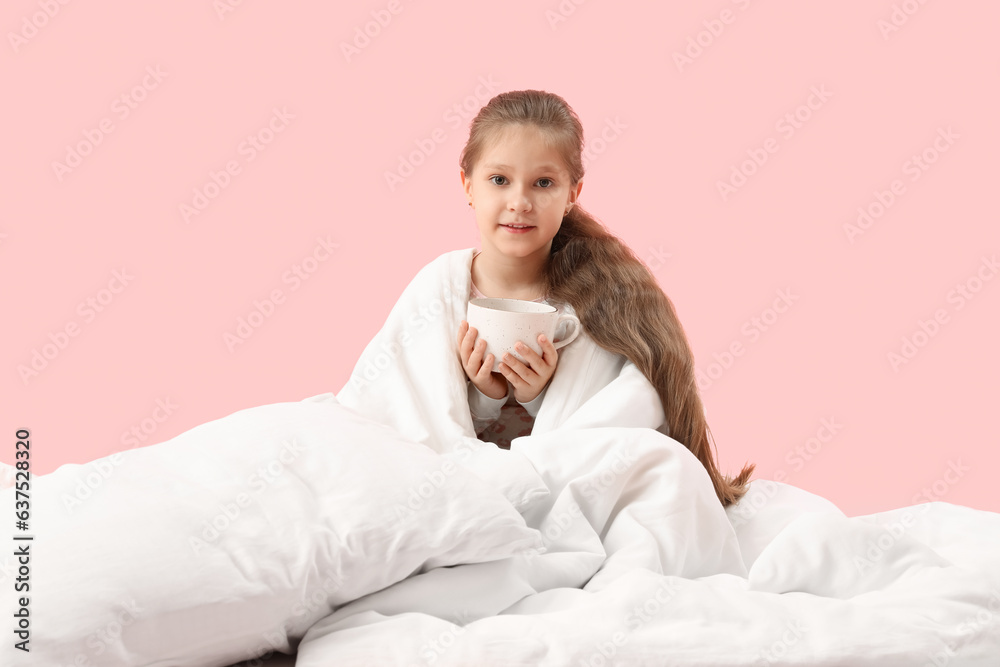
(617,299)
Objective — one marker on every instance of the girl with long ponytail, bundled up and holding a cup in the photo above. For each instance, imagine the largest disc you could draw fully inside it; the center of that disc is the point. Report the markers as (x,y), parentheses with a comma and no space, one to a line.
(522,171)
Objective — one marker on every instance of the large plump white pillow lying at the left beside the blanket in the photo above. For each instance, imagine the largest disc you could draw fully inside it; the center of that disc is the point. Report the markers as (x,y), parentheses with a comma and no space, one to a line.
(233,538)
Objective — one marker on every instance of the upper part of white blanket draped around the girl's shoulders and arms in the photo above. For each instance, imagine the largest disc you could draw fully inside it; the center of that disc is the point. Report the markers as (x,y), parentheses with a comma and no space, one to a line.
(410,377)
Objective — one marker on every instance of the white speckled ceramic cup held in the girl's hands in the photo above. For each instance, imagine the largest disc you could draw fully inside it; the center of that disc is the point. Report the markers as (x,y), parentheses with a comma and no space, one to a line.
(503,322)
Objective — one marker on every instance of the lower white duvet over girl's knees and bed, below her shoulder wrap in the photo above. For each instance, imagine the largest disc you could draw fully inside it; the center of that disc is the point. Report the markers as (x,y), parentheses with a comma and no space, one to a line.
(644,568)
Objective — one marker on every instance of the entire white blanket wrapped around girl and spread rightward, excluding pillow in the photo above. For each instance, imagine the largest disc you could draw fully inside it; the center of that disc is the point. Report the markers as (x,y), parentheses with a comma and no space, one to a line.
(642,564)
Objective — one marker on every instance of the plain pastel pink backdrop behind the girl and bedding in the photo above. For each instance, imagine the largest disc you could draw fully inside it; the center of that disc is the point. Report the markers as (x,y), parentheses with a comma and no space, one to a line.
(673,131)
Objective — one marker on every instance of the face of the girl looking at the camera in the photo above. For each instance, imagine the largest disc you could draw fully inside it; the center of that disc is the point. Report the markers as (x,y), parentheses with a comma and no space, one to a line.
(520,181)
